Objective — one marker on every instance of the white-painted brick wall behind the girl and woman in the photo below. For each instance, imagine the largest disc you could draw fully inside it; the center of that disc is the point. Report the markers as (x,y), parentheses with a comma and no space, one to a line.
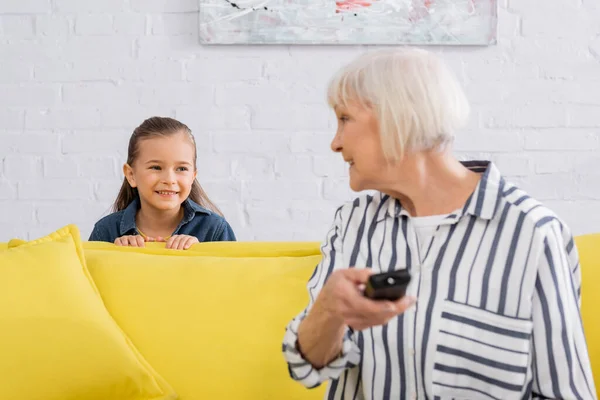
(76,76)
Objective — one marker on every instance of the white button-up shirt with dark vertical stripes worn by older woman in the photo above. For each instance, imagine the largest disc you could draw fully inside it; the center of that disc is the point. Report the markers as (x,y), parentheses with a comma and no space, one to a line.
(497,315)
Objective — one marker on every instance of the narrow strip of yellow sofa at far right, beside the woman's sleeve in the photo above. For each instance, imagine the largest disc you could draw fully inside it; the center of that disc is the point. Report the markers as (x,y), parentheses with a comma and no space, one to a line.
(589,256)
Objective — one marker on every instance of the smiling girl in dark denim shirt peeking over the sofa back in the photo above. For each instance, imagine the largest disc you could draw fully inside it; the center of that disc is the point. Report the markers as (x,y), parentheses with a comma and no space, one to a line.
(160,199)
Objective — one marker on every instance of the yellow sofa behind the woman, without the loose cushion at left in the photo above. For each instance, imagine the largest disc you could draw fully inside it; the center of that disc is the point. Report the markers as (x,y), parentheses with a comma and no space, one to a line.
(210,320)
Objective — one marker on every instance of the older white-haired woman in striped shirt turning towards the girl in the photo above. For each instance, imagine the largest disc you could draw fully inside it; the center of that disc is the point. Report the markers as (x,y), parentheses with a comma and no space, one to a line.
(492,310)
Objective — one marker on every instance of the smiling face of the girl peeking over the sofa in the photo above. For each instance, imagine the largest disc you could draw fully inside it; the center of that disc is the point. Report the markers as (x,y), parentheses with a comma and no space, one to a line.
(163,171)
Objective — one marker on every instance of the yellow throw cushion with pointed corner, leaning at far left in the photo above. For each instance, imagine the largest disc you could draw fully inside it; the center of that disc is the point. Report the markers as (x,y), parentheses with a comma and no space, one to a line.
(57,339)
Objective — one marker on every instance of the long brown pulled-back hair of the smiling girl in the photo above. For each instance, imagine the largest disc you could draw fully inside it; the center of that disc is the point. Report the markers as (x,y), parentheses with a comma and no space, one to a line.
(159,127)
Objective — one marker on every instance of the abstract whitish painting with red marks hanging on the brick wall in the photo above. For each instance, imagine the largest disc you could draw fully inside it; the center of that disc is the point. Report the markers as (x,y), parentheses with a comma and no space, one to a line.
(420,22)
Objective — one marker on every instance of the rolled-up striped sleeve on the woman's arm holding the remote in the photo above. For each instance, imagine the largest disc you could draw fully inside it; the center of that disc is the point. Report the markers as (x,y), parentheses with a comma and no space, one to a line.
(299,368)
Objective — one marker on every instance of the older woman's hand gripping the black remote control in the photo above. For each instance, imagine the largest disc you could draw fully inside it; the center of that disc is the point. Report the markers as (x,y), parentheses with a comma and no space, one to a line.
(342,300)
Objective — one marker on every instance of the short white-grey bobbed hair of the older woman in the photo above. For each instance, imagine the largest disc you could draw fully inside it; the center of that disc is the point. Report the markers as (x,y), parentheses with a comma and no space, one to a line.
(418,102)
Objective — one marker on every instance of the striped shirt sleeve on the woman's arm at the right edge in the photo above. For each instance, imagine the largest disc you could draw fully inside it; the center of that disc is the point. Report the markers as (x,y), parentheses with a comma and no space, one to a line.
(561,365)
